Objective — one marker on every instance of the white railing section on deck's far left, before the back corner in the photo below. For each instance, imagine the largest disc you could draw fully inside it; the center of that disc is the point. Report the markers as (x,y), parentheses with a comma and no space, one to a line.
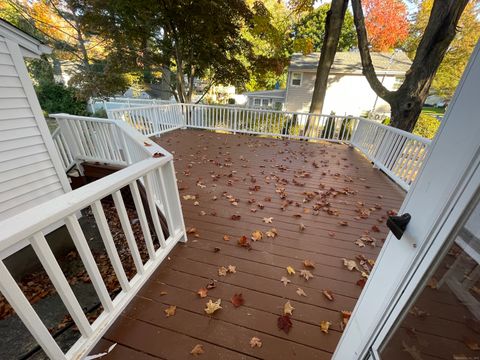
(151,120)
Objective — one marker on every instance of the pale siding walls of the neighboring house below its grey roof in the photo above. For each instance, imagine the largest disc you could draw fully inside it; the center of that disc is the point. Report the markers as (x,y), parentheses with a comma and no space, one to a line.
(347,94)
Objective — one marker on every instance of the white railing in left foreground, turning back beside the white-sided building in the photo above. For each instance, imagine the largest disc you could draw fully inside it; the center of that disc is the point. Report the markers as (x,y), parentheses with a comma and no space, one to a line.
(150,167)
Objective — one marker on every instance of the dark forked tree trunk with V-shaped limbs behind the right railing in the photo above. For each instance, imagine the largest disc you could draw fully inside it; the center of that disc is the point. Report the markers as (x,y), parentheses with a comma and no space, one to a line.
(407,101)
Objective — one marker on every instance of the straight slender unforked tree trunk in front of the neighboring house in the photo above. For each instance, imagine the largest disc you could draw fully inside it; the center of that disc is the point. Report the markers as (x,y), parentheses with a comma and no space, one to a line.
(333,28)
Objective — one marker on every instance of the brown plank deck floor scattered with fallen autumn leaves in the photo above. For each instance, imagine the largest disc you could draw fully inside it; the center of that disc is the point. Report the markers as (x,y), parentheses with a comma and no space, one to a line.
(211,164)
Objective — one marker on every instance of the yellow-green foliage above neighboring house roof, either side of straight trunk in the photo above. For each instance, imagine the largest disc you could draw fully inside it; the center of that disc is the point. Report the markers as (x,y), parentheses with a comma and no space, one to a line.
(309,31)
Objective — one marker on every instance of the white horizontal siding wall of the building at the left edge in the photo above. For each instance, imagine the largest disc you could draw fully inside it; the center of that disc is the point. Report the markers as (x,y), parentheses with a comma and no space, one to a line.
(29,174)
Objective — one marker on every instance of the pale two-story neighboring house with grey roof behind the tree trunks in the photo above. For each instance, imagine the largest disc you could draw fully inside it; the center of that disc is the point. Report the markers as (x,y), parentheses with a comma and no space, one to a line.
(348,91)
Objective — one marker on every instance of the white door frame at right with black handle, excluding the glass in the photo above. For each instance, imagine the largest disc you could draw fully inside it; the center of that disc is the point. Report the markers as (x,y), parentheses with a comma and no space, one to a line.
(447,182)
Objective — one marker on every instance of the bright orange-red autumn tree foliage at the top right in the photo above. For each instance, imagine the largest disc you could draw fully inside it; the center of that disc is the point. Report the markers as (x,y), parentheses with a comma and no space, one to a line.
(386,23)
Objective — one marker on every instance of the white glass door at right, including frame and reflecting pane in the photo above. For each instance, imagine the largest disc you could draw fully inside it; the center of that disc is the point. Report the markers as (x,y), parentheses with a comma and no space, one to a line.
(443,206)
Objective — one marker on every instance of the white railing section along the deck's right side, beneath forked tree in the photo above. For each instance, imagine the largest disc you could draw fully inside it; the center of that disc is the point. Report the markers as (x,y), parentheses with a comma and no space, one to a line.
(398,153)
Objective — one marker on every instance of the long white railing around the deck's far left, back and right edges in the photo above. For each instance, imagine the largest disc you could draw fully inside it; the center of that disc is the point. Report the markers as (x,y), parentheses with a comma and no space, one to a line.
(398,153)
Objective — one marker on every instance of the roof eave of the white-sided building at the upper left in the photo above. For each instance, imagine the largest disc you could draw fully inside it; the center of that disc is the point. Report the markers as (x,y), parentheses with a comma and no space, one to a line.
(30,46)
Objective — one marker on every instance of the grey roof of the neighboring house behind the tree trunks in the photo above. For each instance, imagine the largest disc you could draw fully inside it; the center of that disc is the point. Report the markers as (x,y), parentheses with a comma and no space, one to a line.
(350,62)
